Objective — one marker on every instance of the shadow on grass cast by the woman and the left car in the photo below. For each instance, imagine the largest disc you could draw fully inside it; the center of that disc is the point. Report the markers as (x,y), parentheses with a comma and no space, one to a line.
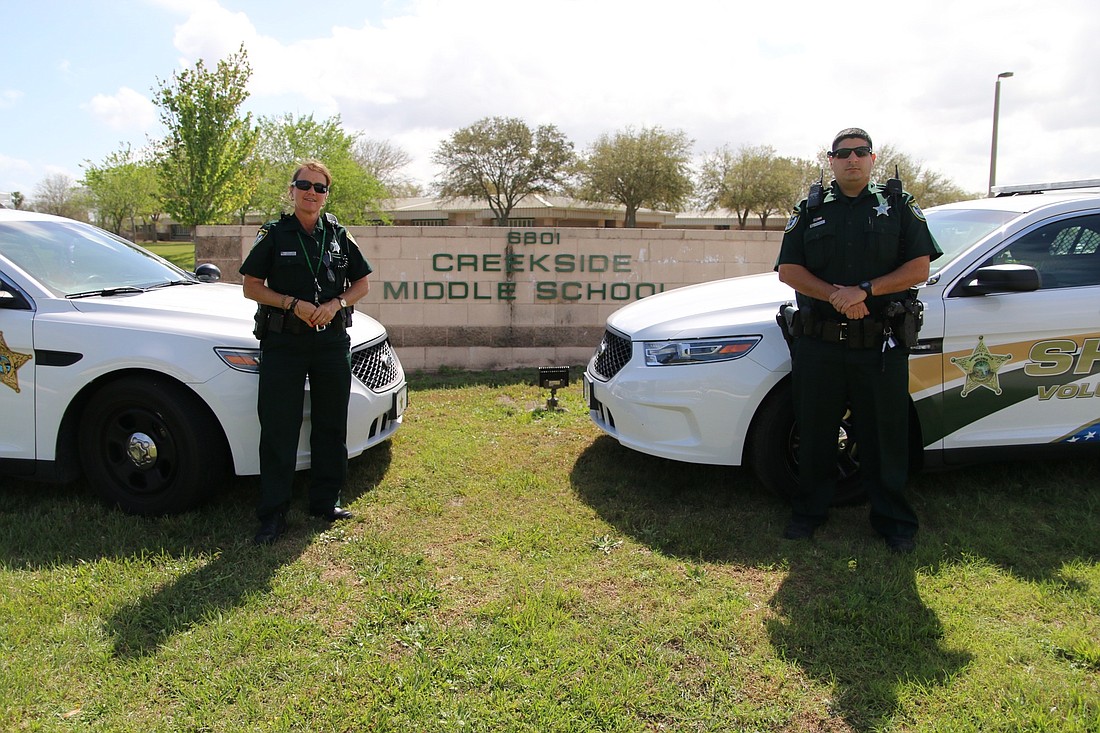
(53,526)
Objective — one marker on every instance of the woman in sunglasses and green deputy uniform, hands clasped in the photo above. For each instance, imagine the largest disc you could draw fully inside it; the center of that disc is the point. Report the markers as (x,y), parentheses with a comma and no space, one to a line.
(306,272)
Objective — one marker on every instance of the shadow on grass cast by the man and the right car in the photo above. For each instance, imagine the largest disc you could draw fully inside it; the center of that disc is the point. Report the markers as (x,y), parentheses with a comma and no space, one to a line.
(849,612)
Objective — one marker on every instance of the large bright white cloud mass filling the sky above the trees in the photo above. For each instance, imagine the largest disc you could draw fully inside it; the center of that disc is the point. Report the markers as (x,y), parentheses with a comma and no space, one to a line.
(919,78)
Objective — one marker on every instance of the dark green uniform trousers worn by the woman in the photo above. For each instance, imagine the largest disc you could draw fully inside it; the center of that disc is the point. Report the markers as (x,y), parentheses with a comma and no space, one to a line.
(288,359)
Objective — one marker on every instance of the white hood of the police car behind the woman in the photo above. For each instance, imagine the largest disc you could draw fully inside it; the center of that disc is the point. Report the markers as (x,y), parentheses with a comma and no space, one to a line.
(218,311)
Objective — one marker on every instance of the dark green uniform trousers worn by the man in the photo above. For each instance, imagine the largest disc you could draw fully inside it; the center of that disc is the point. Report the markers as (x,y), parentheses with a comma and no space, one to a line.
(828,379)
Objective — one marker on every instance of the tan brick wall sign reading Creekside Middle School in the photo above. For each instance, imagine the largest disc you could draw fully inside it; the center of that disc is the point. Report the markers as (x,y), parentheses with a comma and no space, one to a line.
(489,298)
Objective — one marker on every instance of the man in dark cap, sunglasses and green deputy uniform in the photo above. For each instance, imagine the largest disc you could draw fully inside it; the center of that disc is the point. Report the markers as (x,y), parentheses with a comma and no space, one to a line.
(849,251)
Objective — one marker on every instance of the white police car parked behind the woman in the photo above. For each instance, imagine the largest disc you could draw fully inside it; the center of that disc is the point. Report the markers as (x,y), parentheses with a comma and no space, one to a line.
(119,365)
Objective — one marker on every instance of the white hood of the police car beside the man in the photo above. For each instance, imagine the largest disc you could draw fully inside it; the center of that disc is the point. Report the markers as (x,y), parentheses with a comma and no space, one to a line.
(723,308)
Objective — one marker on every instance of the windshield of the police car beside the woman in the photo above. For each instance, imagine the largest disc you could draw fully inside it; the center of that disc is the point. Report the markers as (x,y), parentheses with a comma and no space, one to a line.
(70,259)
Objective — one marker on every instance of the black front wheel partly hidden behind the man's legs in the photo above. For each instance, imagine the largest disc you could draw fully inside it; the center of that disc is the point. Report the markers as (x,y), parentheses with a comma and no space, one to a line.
(774,451)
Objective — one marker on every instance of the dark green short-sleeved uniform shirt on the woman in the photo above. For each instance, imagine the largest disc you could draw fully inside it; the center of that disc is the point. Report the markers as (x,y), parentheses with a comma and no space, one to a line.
(314,267)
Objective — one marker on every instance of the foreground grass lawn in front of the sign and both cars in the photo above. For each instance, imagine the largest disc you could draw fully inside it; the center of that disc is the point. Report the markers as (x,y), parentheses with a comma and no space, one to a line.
(512,570)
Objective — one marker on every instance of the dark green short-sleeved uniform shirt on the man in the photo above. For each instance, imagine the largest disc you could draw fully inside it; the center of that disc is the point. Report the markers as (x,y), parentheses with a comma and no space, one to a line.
(851,240)
